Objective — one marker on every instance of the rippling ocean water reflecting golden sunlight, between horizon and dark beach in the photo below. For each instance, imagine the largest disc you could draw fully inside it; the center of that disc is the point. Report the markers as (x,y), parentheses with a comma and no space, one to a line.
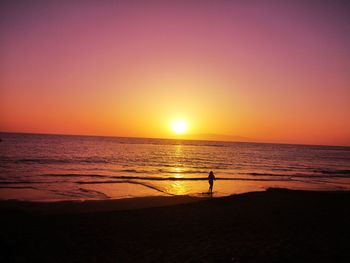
(59,167)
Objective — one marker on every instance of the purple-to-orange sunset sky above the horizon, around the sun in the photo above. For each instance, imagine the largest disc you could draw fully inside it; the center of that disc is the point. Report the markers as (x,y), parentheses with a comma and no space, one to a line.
(267,71)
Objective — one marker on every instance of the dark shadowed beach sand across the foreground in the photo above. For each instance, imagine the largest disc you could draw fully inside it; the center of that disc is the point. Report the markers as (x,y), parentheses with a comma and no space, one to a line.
(273,226)
